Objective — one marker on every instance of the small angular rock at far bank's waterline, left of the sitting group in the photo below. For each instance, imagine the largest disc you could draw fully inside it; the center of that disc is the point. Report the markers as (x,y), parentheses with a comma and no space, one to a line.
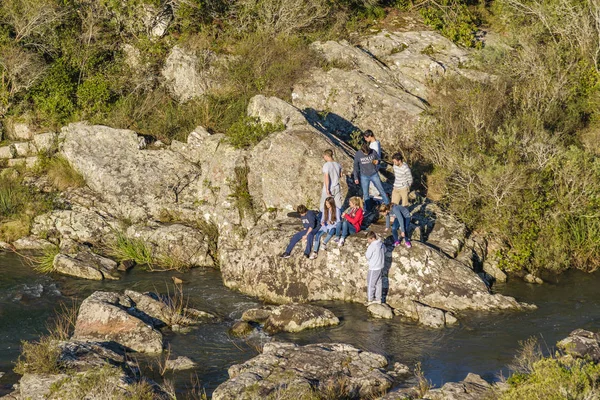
(86,265)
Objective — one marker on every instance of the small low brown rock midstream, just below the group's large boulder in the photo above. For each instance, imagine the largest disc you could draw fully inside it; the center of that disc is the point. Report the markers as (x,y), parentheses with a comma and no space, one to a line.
(291,317)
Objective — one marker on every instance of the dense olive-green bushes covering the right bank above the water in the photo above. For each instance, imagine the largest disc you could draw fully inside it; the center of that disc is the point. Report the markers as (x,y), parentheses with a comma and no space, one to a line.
(511,156)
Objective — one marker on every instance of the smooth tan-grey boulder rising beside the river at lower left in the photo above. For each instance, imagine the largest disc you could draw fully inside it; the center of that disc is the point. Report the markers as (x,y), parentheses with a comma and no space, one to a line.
(105,316)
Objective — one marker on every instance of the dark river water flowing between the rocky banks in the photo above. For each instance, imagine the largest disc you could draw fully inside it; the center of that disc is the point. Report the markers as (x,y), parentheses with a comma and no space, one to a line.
(482,343)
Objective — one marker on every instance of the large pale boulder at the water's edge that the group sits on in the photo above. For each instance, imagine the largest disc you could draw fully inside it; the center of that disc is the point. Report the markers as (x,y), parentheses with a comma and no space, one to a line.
(416,277)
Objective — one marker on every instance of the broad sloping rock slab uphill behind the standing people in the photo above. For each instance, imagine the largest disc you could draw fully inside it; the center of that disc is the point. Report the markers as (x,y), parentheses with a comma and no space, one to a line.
(383,84)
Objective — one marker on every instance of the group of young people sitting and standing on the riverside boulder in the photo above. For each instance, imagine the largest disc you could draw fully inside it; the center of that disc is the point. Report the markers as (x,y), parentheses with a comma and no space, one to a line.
(338,225)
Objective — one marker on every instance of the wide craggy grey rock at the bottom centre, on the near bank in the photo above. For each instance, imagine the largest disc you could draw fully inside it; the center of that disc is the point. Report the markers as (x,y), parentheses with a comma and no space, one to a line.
(337,367)
